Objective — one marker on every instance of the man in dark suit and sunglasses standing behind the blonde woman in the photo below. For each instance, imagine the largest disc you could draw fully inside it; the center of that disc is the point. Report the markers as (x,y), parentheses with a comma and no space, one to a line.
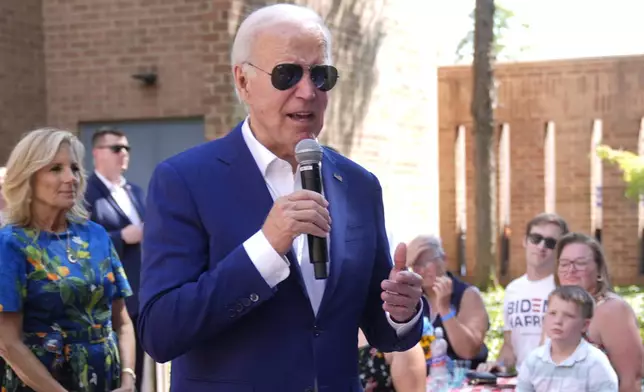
(118,206)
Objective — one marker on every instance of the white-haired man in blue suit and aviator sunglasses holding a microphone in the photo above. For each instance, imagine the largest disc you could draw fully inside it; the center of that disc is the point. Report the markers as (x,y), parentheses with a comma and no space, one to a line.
(227,290)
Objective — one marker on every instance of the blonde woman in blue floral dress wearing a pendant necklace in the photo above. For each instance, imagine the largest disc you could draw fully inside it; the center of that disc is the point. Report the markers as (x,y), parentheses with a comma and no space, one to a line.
(63,321)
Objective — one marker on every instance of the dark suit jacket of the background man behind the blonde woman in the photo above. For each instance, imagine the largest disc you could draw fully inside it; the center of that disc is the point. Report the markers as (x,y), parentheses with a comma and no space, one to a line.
(105,211)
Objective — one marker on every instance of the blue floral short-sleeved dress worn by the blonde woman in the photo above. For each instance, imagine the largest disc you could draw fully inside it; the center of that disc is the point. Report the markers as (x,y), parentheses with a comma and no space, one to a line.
(66,304)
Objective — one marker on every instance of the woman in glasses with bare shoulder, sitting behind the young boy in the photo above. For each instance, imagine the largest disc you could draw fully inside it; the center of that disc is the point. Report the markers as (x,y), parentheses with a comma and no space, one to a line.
(614,328)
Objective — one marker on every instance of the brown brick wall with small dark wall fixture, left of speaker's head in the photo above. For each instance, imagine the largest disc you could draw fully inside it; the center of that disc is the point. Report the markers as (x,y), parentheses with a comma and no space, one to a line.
(94,47)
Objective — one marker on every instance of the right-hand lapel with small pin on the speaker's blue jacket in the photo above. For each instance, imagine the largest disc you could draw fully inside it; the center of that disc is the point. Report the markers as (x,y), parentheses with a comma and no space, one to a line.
(335,189)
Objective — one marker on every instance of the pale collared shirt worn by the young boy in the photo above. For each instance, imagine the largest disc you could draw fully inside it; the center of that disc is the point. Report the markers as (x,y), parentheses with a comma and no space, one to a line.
(587,369)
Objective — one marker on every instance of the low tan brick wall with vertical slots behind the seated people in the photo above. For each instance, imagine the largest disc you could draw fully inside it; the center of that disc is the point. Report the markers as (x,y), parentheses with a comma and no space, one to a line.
(572,94)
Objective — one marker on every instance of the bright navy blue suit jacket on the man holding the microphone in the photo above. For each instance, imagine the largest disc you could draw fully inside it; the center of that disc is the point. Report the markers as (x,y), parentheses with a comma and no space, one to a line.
(206,307)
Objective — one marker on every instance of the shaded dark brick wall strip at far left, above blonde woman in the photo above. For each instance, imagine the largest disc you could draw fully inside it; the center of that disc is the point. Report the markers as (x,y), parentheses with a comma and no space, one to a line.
(22,74)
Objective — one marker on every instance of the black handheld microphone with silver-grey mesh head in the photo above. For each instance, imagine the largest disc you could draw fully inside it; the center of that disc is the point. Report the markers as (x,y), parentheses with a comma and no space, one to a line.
(308,154)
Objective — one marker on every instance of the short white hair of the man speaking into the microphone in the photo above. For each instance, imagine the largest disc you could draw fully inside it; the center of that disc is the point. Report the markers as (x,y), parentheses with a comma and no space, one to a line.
(267,17)
